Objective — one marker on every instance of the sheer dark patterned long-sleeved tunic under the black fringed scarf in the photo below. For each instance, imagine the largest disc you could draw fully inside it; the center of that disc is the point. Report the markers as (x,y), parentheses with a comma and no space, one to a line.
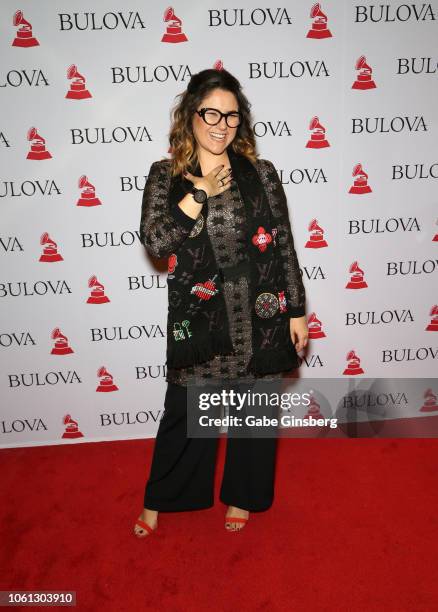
(163,230)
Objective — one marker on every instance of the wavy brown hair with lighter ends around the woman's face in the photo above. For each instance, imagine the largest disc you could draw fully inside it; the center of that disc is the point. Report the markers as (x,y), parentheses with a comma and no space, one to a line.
(181,139)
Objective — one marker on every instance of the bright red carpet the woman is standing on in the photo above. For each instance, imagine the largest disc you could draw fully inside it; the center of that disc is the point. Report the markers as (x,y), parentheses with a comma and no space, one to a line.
(354,526)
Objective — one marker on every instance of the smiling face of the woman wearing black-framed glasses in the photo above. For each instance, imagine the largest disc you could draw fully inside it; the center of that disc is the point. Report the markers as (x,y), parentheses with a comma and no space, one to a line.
(215,138)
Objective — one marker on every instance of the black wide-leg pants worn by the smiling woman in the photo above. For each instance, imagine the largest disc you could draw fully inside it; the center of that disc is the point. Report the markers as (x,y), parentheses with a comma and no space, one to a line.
(182,470)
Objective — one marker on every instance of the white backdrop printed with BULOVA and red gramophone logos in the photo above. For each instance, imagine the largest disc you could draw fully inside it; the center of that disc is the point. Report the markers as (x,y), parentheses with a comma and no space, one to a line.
(344,99)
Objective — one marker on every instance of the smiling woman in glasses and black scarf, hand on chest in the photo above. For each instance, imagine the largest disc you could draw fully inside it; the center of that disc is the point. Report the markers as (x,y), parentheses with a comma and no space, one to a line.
(236,298)
